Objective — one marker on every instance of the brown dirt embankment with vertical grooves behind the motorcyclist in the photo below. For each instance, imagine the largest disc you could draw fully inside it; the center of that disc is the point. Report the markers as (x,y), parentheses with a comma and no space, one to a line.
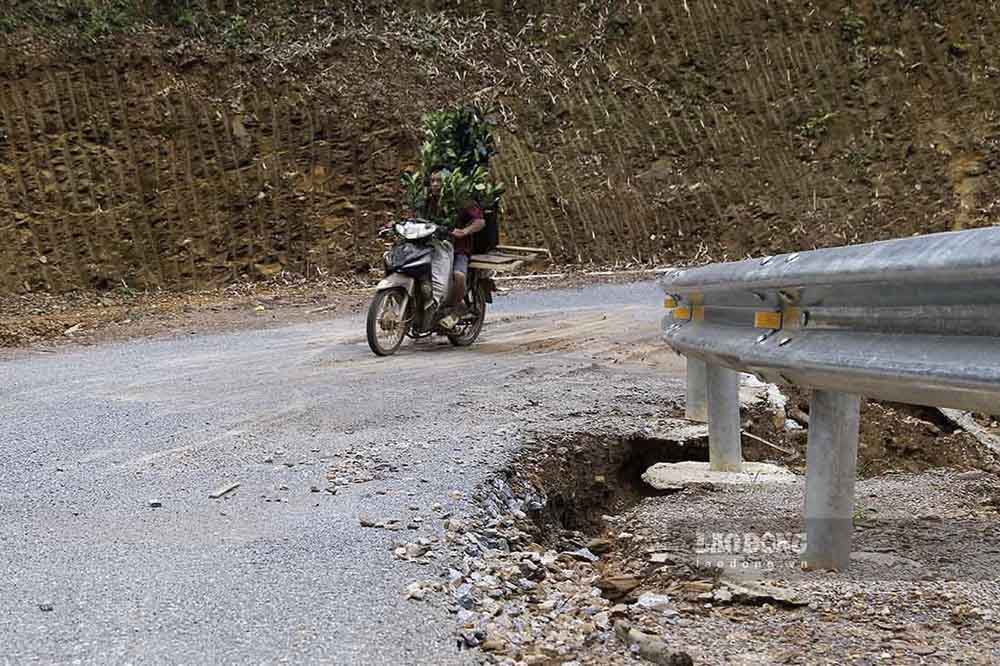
(195,149)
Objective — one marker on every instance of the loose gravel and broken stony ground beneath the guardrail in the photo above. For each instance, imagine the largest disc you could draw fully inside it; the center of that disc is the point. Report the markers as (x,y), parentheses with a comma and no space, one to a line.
(923,584)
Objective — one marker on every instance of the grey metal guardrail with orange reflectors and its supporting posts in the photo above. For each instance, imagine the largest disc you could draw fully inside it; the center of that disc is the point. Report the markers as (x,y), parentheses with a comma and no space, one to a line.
(913,320)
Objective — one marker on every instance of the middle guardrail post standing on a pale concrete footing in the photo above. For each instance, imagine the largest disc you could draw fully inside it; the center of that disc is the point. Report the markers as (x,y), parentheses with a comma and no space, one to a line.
(725,448)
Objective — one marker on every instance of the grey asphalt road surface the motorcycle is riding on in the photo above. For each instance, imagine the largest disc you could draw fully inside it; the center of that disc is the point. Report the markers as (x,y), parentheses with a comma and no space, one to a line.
(275,572)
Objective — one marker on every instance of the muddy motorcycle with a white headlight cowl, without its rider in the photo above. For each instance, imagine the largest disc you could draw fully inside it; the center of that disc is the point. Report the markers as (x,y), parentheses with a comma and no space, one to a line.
(400,307)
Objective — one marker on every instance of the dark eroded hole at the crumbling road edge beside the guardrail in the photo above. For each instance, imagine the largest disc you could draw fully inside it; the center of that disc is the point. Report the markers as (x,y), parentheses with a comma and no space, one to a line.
(564,485)
